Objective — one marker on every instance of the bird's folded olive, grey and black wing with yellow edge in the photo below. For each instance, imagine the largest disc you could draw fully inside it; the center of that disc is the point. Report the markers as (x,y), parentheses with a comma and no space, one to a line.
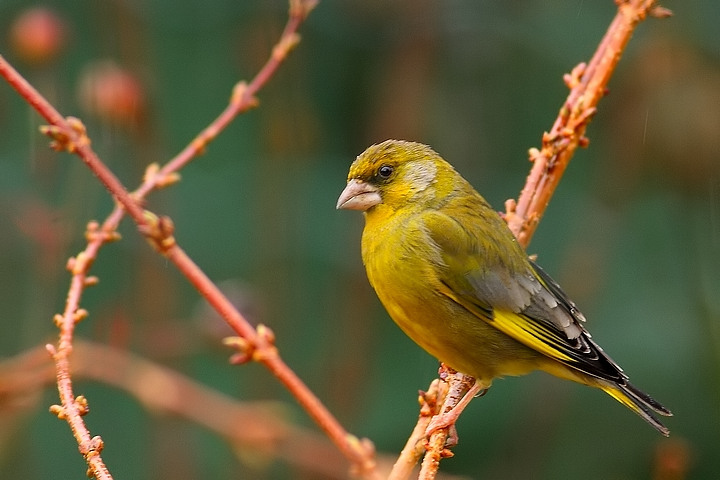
(524,303)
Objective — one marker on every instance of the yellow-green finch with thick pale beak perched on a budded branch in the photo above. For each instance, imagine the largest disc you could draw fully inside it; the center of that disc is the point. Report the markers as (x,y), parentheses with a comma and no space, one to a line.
(453,277)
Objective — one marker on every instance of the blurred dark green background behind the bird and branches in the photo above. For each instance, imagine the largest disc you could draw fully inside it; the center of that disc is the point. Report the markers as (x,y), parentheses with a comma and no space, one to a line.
(633,232)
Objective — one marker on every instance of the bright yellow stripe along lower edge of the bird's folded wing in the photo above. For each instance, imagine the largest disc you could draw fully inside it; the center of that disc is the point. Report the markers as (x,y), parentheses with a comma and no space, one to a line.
(531,334)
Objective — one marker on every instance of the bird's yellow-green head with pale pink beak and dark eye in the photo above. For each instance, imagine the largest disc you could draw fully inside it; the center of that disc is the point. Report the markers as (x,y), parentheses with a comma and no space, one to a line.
(396,174)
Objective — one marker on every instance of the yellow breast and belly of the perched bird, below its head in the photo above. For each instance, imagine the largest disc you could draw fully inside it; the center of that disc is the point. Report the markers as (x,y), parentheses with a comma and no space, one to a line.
(405,267)
